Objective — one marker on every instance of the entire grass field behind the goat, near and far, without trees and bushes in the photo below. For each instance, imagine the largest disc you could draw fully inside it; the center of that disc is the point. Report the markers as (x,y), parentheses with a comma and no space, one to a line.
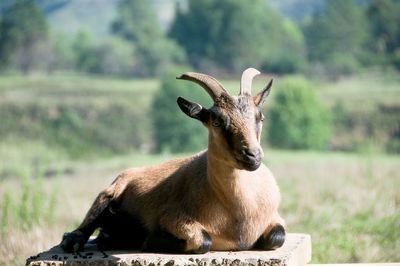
(348,202)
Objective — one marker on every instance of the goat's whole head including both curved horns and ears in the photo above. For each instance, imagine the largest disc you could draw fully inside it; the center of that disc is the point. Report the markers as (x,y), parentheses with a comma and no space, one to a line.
(234,122)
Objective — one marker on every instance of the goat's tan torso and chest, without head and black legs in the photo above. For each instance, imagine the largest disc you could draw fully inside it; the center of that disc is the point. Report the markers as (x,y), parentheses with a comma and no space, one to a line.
(167,196)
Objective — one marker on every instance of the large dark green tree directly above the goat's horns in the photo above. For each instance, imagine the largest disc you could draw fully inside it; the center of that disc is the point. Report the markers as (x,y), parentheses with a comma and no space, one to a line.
(231,34)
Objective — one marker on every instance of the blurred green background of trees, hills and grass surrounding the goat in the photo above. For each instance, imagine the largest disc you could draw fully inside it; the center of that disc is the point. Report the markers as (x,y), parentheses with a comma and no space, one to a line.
(88,88)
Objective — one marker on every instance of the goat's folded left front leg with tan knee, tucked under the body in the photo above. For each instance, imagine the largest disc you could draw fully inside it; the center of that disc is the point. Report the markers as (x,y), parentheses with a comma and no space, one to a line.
(179,236)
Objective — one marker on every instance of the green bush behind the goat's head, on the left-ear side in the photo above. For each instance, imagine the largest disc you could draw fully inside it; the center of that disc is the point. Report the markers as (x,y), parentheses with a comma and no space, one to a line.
(173,130)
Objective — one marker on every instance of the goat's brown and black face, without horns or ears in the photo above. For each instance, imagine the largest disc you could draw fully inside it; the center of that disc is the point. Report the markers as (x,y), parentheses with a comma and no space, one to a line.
(235,126)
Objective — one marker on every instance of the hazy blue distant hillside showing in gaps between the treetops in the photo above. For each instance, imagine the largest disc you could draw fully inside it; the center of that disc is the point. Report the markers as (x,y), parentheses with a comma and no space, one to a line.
(69,16)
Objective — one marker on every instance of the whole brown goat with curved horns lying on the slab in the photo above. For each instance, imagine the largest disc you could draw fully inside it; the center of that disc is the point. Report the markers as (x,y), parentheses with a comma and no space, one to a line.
(223,198)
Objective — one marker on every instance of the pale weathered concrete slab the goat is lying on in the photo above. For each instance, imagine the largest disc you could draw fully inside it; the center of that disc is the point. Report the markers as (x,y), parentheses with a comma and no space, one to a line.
(295,252)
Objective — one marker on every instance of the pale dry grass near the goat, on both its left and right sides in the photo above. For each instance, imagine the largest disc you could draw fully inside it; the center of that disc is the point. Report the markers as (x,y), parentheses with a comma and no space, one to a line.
(349,203)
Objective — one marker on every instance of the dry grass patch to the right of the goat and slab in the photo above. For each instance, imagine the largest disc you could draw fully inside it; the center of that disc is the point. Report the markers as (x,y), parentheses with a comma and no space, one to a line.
(350,204)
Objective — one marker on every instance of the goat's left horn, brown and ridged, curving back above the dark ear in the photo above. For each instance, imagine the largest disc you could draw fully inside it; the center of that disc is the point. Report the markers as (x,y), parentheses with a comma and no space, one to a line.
(210,84)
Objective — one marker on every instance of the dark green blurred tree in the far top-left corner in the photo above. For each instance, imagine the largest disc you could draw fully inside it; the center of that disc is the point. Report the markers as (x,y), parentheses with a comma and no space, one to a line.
(23,36)
